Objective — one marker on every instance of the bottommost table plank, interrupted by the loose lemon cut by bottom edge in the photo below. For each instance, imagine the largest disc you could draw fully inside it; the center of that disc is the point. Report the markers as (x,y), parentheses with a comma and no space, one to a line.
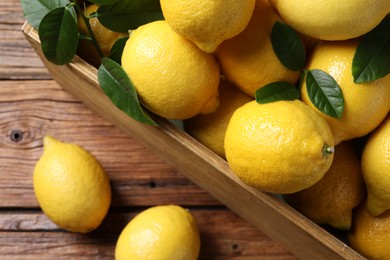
(30,235)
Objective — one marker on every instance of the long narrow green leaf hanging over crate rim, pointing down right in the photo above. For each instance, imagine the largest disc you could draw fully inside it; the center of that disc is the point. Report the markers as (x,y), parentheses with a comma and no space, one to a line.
(119,88)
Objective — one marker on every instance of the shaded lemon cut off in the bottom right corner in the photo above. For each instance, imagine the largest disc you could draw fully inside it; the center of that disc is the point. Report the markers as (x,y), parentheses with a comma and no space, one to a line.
(370,236)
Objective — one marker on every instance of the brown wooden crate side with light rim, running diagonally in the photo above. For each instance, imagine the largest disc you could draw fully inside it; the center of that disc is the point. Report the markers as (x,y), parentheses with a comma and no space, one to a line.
(274,218)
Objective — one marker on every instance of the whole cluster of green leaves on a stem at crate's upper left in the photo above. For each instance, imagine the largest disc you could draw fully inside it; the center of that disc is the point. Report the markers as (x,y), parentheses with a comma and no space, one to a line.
(56,22)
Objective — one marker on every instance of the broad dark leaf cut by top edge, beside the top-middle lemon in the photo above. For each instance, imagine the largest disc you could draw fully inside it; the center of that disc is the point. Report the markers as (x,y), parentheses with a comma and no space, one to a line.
(128,15)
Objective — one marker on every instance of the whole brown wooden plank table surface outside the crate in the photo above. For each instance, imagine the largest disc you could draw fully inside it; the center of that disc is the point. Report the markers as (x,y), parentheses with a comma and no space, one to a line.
(32,105)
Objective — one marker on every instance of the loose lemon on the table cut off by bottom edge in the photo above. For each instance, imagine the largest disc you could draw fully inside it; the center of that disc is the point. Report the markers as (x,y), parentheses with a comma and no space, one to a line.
(166,232)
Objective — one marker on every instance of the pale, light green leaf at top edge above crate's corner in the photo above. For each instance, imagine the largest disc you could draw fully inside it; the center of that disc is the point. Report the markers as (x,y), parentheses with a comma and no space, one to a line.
(35,10)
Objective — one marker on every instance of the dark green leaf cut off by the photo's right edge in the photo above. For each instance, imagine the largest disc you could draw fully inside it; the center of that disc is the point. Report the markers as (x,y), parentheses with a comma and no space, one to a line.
(372,56)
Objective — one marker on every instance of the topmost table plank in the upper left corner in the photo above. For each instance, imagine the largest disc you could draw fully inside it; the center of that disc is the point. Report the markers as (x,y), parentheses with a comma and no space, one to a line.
(17,58)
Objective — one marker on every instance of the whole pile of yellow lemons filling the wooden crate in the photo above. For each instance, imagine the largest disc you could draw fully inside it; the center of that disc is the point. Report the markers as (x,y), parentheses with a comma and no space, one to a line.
(203,64)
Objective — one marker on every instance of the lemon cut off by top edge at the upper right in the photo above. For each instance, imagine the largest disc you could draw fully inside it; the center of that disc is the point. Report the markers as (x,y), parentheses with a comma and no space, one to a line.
(332,19)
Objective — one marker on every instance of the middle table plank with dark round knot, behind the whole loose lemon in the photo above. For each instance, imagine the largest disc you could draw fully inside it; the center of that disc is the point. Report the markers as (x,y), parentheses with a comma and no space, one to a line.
(36,108)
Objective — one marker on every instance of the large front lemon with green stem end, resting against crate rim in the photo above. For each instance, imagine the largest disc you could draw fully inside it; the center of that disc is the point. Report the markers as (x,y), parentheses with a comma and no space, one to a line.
(280,147)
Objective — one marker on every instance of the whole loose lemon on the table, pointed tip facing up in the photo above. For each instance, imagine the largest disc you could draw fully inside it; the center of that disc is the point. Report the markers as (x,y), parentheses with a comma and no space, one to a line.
(71,186)
